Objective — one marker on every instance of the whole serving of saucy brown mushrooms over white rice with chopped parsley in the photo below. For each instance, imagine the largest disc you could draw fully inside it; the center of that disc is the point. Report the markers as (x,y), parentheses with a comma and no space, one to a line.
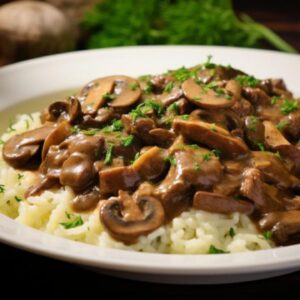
(196,160)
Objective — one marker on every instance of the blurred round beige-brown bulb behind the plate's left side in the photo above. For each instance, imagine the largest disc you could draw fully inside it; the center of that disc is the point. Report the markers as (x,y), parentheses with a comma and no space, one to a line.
(29,29)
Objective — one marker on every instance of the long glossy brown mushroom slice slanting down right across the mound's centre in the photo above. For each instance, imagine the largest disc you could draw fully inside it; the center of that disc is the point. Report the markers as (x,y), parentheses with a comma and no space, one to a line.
(212,136)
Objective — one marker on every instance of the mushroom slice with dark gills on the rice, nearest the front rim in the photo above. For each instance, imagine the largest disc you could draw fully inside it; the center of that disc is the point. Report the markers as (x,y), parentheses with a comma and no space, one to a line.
(127,220)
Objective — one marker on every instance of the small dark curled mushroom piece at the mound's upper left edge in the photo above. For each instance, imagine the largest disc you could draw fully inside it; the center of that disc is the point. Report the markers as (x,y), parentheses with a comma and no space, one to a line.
(63,110)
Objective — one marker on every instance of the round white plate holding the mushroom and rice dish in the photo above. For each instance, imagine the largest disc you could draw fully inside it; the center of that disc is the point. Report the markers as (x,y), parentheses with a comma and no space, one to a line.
(60,72)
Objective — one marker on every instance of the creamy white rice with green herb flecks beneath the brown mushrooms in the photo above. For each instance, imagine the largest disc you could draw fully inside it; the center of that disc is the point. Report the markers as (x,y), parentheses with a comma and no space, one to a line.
(193,232)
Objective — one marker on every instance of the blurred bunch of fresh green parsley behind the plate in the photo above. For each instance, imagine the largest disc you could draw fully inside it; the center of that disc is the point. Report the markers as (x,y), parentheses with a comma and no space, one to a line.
(209,22)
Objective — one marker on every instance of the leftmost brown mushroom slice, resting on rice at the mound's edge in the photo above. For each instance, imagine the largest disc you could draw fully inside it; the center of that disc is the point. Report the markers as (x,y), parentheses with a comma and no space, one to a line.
(20,149)
